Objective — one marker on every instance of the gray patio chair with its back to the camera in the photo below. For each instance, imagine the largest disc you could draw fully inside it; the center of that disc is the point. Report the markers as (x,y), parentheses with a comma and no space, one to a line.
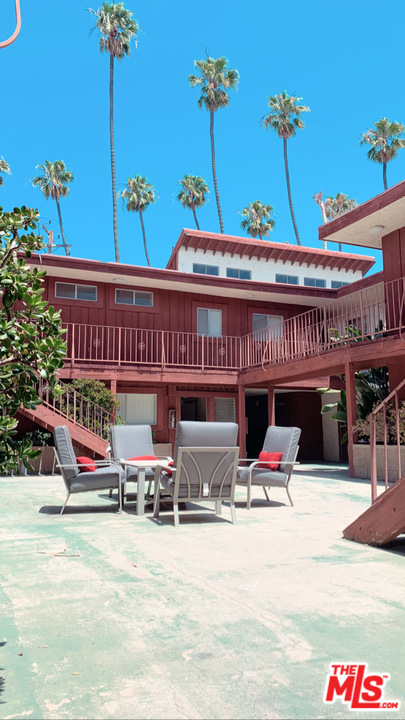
(204,467)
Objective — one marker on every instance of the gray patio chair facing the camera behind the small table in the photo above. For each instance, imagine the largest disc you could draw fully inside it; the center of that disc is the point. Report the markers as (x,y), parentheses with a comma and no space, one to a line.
(127,441)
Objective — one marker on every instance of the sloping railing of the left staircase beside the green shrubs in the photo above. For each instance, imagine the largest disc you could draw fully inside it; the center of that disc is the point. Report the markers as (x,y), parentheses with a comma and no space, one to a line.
(78,409)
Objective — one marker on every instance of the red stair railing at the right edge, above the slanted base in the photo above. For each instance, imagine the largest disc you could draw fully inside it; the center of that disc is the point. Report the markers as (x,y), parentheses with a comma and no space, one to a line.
(385,428)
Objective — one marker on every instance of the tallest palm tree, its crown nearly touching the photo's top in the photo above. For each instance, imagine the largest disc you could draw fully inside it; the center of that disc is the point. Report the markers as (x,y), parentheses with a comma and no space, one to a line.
(117,28)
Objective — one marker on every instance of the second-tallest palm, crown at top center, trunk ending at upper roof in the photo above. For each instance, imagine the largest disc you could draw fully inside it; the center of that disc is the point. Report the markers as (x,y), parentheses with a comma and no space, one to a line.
(215,80)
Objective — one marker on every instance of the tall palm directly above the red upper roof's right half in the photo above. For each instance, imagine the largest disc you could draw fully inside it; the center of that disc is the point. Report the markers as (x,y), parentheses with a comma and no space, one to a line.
(284,119)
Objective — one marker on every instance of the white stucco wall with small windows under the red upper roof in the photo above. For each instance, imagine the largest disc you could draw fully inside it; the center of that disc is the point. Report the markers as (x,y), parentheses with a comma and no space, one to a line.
(262,270)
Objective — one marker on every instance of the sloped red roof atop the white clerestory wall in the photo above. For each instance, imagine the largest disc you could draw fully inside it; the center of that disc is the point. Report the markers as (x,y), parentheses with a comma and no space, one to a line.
(283,252)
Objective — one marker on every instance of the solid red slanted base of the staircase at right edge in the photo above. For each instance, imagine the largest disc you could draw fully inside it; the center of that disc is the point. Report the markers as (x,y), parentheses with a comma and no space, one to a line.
(383,521)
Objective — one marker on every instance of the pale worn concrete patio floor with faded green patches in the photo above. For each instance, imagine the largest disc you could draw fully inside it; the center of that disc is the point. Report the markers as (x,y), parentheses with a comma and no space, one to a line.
(109,616)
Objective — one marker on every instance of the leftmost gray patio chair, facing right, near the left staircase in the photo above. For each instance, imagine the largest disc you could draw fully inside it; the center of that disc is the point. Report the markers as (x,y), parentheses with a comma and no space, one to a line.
(106,476)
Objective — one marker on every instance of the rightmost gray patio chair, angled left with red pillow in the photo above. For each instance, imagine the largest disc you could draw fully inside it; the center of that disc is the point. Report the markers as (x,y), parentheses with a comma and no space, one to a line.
(278,439)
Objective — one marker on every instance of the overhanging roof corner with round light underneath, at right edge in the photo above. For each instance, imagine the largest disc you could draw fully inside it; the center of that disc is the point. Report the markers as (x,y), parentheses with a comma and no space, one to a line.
(355,227)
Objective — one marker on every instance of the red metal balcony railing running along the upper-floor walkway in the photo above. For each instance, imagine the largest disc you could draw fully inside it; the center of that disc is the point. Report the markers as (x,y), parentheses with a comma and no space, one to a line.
(372,313)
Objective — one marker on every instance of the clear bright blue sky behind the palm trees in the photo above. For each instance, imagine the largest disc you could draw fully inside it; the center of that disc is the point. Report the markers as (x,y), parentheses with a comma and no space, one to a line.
(55,105)
